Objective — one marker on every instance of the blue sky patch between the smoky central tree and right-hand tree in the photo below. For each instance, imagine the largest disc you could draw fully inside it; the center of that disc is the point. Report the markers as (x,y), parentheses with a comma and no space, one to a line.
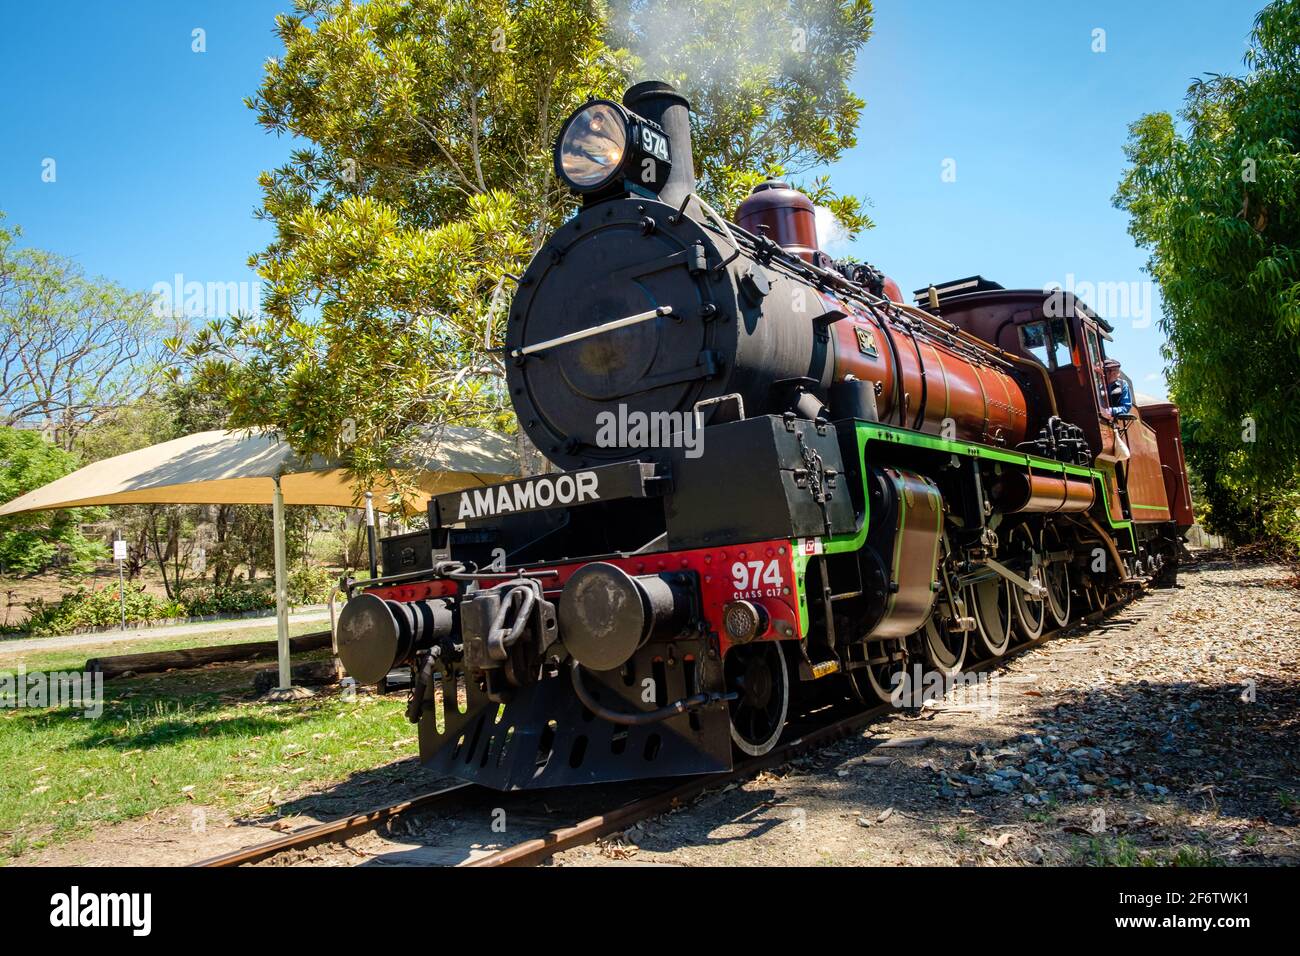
(1035,122)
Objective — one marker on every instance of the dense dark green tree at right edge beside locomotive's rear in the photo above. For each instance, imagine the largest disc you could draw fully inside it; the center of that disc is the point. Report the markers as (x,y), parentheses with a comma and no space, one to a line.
(1216,198)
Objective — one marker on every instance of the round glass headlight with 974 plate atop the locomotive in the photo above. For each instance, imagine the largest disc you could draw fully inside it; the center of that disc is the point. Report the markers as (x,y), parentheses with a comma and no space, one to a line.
(605,148)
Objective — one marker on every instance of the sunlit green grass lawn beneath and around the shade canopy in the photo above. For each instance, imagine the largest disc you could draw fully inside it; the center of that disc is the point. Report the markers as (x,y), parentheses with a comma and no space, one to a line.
(188,737)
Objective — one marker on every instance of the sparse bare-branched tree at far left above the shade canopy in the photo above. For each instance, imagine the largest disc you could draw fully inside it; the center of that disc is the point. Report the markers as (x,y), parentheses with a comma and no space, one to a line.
(73,349)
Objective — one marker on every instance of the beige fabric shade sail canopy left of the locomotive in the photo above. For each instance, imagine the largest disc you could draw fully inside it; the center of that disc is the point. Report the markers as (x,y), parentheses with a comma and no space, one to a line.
(241,469)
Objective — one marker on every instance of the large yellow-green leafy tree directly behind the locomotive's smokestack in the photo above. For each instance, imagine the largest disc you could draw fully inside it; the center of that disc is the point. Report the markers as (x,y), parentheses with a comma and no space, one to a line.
(428,180)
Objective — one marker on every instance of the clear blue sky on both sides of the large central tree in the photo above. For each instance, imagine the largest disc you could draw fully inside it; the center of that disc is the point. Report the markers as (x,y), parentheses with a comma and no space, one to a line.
(157,157)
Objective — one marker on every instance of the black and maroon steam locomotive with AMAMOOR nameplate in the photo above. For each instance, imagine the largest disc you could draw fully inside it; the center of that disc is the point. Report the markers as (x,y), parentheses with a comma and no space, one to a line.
(768,471)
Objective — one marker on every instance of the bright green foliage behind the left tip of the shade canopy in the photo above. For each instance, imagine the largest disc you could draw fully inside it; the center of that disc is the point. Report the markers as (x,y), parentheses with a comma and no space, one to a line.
(29,543)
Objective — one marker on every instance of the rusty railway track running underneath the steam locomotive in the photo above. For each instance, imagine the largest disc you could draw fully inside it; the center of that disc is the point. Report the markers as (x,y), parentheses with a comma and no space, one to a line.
(664,798)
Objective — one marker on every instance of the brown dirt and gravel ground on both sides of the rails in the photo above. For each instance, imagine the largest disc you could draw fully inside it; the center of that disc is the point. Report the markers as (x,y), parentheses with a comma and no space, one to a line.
(1165,737)
